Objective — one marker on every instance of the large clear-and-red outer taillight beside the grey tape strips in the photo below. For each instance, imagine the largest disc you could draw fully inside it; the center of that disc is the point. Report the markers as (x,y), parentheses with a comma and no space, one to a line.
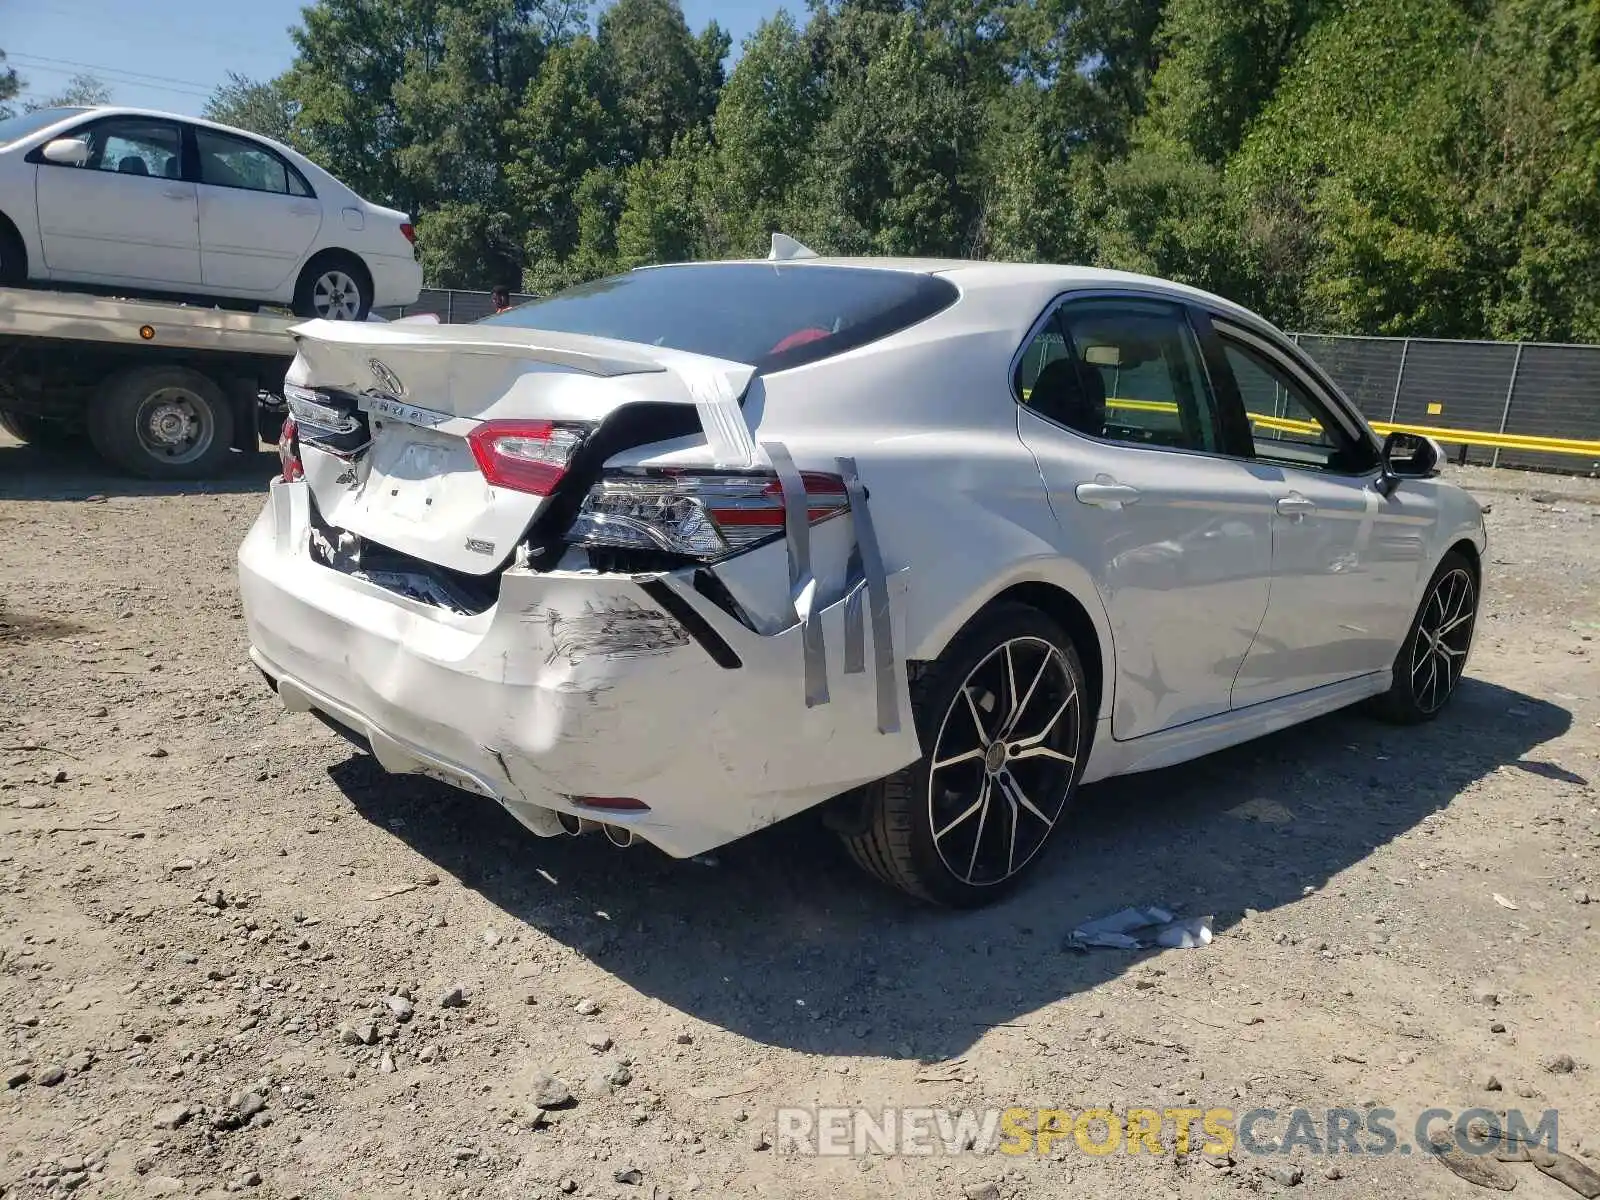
(705,516)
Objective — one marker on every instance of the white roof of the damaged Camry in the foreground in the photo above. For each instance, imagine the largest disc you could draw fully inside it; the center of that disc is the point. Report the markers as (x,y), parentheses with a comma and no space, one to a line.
(974,276)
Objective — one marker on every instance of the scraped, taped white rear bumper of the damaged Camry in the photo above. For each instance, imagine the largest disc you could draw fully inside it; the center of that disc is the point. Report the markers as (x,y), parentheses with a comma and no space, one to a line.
(580,686)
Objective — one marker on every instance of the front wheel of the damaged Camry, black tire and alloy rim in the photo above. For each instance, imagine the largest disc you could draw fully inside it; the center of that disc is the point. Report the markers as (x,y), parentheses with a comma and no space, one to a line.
(1446,620)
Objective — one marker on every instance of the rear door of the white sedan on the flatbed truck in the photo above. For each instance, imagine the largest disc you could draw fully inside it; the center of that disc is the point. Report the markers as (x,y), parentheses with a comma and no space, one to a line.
(258,215)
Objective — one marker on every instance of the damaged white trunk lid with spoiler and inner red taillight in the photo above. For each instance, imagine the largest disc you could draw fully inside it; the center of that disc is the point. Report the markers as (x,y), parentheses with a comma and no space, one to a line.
(428,393)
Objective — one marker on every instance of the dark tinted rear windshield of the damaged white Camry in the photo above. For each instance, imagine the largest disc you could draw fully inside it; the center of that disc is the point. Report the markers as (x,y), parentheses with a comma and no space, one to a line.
(772,316)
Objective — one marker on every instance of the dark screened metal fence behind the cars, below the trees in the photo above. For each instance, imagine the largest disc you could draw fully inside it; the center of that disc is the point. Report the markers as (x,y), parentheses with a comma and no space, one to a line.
(1466,388)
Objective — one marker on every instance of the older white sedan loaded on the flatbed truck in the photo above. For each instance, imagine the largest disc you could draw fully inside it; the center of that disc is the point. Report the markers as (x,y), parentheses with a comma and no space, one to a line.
(150,202)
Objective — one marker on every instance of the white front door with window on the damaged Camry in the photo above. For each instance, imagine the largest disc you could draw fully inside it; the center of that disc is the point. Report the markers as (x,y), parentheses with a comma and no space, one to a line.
(1346,559)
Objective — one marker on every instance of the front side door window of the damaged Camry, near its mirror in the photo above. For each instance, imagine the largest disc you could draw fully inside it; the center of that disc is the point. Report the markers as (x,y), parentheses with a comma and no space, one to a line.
(1287,426)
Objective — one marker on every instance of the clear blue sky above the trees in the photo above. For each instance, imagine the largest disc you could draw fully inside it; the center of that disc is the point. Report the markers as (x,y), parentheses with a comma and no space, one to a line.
(170,54)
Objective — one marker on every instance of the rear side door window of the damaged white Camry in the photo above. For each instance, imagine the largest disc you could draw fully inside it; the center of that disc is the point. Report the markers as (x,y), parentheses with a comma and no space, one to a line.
(1124,372)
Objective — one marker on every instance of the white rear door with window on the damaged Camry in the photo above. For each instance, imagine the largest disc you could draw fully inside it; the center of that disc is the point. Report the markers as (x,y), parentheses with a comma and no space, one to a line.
(1119,412)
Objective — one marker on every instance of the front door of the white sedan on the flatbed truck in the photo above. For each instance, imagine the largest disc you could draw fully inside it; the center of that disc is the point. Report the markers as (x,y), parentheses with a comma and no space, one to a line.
(126,215)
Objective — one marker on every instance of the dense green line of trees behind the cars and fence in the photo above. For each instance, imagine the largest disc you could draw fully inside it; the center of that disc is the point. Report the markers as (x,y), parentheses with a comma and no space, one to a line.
(1423,167)
